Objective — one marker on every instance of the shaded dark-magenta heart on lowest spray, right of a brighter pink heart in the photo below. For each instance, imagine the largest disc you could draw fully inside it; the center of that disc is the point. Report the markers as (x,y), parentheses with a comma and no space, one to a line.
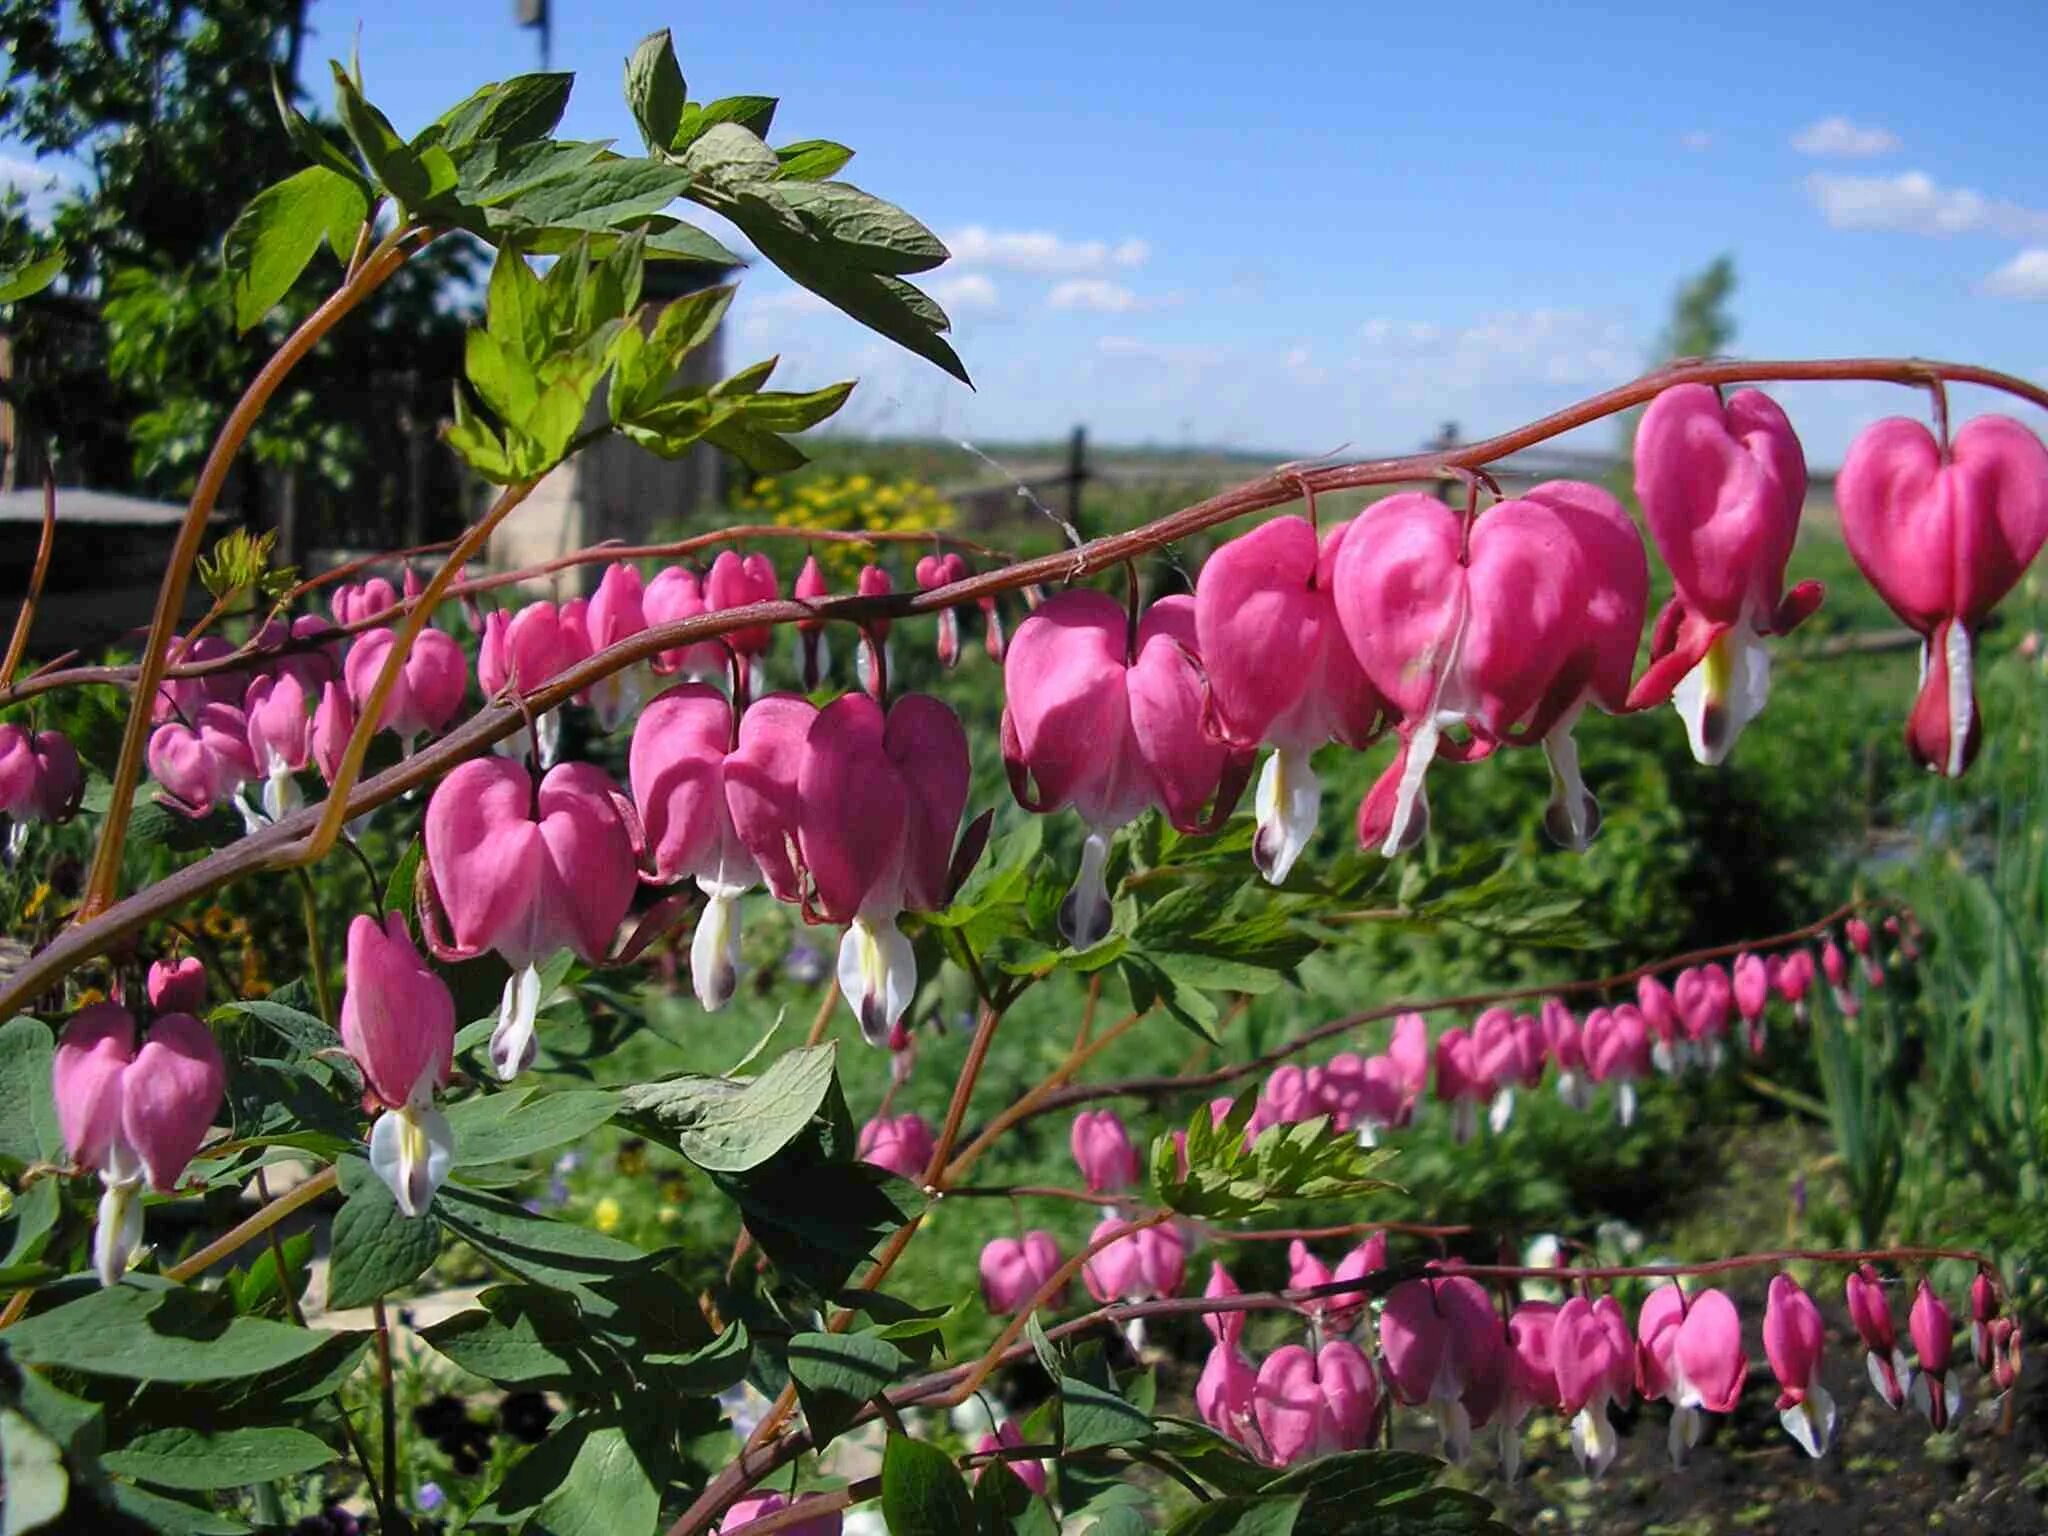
(1445,1349)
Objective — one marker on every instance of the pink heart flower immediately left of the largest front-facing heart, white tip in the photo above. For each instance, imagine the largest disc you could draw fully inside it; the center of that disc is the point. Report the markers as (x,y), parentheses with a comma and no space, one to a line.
(1281,673)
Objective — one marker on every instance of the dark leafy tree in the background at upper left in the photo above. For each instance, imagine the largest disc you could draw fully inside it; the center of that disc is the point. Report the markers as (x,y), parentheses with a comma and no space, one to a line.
(171,112)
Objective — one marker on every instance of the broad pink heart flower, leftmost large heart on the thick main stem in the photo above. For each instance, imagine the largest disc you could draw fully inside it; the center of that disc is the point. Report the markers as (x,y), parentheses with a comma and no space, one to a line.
(527,871)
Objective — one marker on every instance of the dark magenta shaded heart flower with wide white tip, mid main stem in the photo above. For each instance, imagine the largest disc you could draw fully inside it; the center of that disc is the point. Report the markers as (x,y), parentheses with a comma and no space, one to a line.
(880,808)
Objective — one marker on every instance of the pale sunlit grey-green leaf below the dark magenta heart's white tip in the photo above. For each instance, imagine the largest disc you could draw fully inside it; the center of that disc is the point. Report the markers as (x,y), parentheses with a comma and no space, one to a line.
(730,1127)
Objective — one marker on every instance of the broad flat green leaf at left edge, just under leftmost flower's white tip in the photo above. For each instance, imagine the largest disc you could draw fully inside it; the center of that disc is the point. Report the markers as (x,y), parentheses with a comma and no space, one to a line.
(159,1334)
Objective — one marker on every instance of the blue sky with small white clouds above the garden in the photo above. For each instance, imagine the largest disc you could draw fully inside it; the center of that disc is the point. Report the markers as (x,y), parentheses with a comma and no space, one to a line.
(1299,228)
